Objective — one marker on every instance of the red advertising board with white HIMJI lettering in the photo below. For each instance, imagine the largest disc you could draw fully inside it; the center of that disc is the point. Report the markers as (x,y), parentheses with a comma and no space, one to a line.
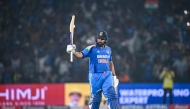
(31,94)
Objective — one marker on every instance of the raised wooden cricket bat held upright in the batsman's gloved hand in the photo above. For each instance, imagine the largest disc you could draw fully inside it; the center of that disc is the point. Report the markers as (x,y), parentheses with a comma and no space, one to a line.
(72,26)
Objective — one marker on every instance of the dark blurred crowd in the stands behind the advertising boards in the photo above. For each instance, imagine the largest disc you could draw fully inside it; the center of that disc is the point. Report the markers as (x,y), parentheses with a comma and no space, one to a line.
(34,35)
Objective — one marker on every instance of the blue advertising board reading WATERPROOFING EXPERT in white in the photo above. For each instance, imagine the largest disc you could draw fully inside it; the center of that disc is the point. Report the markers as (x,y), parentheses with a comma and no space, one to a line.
(151,94)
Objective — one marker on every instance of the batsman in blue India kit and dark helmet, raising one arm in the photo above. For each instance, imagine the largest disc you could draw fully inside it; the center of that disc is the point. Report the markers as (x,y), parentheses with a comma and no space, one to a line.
(102,77)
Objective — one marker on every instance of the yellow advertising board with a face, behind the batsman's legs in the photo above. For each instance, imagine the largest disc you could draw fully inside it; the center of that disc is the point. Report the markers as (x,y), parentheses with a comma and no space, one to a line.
(78,94)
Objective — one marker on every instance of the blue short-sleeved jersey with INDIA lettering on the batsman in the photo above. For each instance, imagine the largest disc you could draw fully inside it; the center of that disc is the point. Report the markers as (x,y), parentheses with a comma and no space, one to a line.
(99,58)
